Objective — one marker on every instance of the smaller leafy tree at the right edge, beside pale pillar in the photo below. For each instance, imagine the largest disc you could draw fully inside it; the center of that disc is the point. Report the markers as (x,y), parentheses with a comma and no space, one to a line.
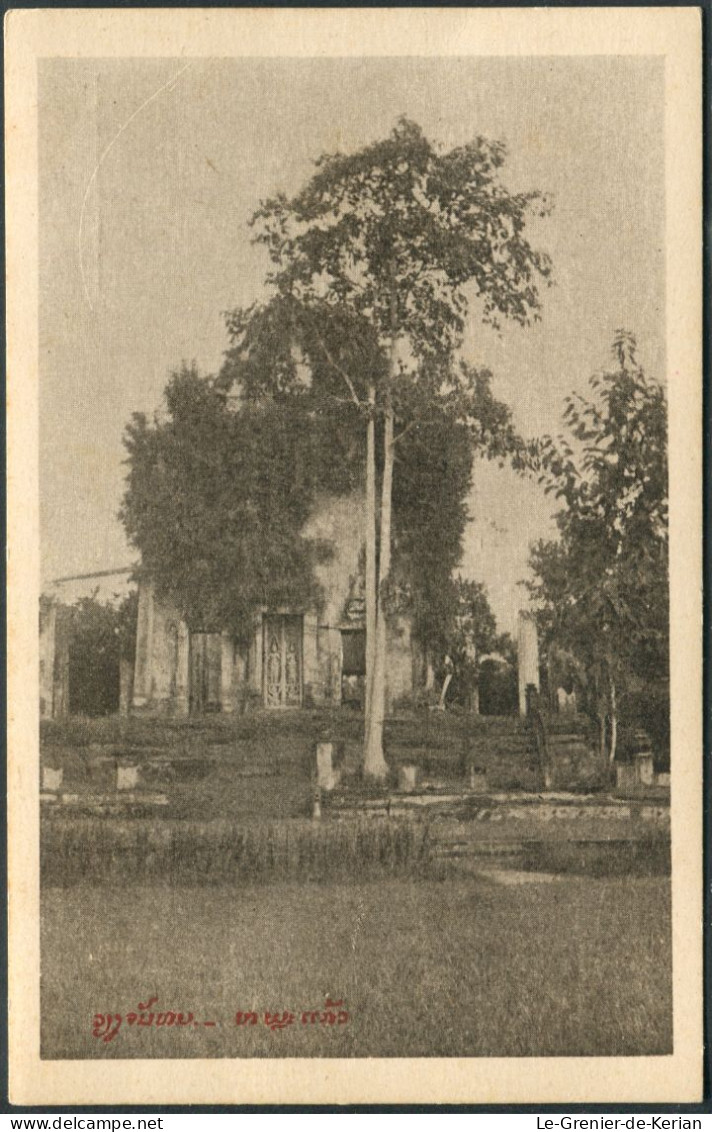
(603,588)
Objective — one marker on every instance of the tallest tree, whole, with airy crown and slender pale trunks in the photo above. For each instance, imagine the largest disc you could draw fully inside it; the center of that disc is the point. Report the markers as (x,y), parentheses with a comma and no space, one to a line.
(373,268)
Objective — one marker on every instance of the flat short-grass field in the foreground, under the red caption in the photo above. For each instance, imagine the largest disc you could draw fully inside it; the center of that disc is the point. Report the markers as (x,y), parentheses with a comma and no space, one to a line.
(464,967)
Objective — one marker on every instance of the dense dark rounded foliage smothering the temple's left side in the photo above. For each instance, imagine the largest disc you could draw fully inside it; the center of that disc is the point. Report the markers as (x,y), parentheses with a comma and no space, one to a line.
(217,502)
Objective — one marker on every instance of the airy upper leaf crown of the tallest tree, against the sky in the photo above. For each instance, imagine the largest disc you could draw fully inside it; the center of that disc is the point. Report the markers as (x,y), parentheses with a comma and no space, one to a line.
(394,233)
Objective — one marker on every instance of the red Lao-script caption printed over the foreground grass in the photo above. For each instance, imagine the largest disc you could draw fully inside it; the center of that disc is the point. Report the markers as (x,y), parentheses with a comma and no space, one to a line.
(107,1026)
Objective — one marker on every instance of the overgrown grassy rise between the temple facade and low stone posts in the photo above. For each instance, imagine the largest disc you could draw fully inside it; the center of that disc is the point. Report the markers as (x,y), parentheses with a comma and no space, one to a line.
(261,768)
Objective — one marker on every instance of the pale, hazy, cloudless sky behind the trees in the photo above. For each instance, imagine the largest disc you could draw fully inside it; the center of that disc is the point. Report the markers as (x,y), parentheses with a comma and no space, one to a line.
(151,169)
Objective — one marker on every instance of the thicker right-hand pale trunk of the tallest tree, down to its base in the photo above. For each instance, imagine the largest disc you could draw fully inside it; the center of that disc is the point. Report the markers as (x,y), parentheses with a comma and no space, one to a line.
(375,764)
